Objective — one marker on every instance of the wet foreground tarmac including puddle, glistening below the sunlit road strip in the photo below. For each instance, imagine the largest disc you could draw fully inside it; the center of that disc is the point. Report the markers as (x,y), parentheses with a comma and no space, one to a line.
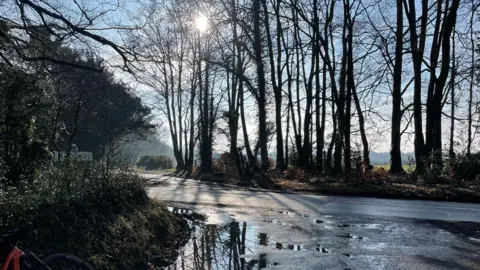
(249,238)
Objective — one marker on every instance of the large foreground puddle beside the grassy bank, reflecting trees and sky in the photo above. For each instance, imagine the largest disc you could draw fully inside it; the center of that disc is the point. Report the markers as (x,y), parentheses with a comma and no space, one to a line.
(231,245)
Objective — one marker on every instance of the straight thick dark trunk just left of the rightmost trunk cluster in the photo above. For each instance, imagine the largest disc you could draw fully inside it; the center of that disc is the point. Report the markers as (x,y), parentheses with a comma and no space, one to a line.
(396,136)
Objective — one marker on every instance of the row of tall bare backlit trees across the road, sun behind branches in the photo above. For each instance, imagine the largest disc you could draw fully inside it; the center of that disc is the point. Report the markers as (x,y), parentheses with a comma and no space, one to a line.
(327,74)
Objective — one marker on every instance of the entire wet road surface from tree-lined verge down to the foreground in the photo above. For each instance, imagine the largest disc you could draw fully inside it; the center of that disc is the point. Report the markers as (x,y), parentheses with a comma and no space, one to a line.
(300,231)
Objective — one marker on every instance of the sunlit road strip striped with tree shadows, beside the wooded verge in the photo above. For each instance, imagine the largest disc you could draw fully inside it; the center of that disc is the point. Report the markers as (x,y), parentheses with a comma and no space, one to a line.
(195,192)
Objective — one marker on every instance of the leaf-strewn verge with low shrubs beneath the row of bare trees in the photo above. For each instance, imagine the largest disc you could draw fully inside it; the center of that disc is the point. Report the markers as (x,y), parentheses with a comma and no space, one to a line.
(378,183)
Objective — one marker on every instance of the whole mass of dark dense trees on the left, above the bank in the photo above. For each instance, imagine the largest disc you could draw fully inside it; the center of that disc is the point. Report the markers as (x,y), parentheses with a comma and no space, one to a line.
(52,108)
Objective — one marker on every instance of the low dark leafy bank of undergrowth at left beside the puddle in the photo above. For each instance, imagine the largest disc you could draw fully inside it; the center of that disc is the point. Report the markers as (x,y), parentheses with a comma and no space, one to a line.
(104,218)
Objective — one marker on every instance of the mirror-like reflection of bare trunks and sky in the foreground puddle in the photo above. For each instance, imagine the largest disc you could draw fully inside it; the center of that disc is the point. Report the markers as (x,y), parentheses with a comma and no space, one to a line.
(223,247)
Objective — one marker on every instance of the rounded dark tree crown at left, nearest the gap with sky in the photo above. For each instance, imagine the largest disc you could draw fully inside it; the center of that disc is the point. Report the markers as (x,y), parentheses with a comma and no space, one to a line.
(93,110)
